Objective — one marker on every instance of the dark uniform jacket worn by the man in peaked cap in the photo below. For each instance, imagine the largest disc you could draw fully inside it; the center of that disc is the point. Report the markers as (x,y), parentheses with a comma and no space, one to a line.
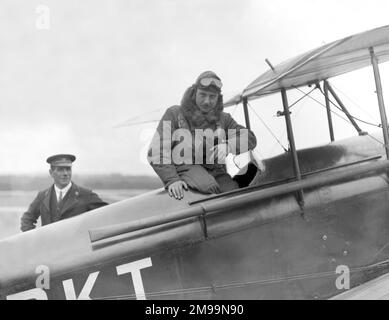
(76,201)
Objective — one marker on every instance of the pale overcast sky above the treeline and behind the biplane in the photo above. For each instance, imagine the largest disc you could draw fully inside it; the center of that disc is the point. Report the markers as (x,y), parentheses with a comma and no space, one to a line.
(63,89)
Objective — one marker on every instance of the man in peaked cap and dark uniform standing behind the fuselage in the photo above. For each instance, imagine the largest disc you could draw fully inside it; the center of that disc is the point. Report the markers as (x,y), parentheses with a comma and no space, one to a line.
(64,199)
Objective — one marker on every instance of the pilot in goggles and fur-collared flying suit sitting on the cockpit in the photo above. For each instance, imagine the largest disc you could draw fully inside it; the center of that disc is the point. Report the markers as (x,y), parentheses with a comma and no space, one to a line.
(192,141)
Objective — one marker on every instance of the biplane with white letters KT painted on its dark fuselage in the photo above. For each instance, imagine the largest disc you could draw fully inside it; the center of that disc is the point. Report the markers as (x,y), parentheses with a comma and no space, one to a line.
(305,224)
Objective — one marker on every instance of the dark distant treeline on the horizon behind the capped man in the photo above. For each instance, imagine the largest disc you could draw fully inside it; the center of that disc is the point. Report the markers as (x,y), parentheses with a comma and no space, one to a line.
(100,181)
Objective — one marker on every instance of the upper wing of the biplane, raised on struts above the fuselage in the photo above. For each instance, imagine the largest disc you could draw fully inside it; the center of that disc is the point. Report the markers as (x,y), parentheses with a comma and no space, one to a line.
(338,57)
